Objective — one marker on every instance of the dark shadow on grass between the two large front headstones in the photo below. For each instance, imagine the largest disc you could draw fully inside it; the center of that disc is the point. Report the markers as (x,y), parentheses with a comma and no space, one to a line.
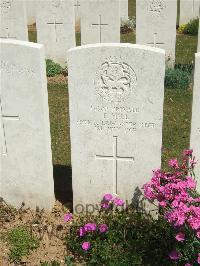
(63,185)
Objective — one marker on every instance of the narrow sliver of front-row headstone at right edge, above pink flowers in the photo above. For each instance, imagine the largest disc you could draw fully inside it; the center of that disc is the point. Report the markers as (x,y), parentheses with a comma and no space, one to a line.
(195,127)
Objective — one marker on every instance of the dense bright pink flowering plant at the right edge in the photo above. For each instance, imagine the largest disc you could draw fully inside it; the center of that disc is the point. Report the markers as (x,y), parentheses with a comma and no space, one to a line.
(176,194)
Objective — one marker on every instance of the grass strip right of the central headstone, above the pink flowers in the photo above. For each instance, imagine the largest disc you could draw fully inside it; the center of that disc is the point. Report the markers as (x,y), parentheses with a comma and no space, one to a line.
(176,125)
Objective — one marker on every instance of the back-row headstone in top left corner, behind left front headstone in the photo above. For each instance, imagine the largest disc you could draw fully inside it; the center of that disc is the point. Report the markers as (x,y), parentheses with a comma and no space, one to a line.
(13,22)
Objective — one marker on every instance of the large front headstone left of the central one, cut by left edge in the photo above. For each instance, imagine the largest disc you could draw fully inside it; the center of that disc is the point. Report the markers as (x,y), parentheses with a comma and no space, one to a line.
(26,161)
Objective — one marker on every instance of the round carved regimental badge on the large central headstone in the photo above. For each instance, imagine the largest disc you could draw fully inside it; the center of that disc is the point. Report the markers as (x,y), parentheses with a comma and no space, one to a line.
(115,80)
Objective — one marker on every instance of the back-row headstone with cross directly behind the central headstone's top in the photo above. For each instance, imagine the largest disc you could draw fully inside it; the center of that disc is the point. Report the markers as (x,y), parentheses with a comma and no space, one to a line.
(100,21)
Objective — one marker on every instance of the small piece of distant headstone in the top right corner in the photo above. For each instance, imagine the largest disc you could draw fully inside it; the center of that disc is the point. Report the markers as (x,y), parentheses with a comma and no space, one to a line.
(189,9)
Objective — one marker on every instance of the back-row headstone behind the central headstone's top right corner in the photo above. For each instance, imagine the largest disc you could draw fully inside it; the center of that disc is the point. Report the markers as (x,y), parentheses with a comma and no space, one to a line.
(156,25)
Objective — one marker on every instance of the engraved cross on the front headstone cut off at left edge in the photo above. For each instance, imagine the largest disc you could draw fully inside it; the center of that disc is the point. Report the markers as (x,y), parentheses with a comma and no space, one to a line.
(3,131)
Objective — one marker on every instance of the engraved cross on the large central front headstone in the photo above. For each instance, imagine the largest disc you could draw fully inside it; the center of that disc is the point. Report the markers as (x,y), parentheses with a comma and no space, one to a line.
(115,158)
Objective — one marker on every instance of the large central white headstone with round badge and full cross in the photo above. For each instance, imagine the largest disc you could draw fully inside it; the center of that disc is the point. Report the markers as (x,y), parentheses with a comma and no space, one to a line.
(116,111)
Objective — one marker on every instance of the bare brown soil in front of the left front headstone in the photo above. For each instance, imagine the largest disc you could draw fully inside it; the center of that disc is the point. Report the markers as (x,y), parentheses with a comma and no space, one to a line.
(49,227)
